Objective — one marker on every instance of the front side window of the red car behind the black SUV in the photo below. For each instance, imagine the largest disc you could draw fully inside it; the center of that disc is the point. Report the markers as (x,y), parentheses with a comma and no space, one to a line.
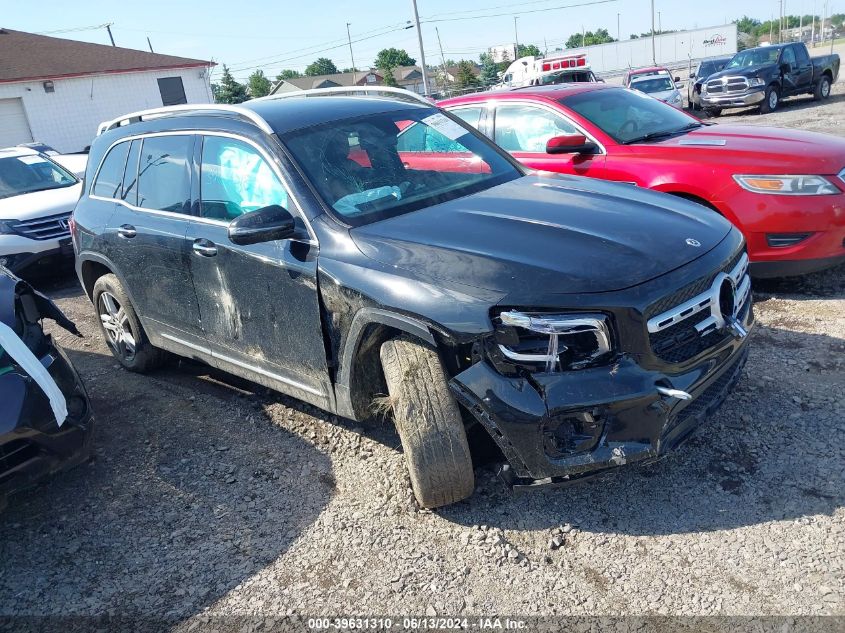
(522,128)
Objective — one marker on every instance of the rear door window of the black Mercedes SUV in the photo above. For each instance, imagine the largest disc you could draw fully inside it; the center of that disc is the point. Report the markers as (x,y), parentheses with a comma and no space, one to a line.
(164,177)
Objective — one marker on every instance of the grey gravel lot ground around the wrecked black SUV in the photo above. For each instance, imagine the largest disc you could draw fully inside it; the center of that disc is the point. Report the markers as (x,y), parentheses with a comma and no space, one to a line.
(212,496)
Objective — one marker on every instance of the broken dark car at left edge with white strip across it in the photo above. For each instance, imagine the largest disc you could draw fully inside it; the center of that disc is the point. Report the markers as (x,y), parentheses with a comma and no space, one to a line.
(32,444)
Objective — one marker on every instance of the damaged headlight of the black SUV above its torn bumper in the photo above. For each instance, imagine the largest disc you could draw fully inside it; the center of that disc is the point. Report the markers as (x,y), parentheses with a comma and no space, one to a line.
(552,342)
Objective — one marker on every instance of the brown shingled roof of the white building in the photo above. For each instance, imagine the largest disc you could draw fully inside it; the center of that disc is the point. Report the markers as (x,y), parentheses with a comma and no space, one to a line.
(26,56)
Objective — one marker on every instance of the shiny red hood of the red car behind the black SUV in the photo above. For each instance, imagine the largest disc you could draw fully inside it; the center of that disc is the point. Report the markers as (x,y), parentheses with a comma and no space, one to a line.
(758,149)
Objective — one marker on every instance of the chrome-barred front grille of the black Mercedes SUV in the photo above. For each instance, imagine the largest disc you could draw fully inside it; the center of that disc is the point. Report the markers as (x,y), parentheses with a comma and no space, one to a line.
(682,325)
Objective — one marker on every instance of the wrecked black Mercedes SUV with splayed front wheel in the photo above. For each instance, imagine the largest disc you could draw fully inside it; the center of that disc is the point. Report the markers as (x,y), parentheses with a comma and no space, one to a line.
(367,252)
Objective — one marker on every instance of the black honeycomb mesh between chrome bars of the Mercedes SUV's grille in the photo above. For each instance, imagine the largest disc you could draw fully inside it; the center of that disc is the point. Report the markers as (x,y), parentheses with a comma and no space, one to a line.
(682,341)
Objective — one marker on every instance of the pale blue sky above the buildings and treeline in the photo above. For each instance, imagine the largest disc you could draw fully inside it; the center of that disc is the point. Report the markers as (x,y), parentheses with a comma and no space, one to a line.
(289,34)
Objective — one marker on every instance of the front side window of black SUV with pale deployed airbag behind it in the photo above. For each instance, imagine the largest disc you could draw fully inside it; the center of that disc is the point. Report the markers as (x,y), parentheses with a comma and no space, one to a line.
(235,179)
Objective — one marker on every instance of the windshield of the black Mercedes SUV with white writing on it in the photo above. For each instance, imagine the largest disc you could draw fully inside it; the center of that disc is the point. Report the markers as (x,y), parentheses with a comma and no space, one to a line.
(382,165)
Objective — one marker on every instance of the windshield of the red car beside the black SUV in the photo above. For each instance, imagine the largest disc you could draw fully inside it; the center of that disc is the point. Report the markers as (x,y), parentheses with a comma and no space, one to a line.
(627,115)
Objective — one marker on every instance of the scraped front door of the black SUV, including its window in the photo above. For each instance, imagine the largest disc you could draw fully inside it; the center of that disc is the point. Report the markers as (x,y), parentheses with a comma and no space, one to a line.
(258,302)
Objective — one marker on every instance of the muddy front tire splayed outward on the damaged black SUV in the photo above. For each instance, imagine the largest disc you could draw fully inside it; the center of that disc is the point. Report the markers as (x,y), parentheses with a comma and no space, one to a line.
(429,424)
